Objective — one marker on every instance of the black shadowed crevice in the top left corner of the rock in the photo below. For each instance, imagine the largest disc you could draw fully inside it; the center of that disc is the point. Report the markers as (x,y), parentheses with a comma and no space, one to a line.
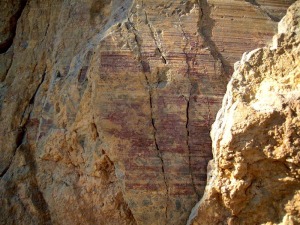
(12,27)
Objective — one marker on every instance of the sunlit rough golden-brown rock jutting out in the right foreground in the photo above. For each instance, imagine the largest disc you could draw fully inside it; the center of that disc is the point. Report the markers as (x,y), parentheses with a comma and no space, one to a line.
(254,177)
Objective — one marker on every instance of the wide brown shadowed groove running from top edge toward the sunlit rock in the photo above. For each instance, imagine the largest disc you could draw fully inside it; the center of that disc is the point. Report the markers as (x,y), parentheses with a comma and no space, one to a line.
(205,26)
